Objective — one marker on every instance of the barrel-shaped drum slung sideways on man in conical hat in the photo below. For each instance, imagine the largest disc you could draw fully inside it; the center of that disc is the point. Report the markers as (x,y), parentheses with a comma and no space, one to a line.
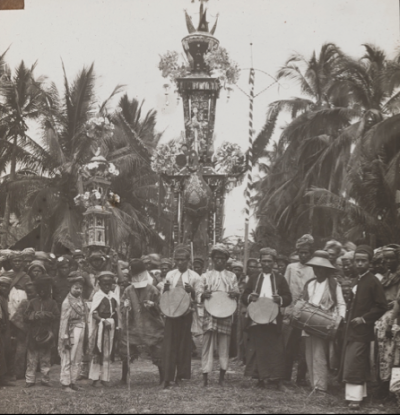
(314,321)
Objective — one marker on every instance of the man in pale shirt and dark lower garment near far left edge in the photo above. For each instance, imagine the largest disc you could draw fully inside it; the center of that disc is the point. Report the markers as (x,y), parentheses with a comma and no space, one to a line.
(17,295)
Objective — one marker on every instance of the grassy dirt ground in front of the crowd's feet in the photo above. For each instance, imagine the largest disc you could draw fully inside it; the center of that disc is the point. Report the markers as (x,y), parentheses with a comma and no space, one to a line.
(238,396)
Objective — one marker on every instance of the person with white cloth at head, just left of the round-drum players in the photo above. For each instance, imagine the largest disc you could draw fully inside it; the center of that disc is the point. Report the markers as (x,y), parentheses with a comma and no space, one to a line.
(142,324)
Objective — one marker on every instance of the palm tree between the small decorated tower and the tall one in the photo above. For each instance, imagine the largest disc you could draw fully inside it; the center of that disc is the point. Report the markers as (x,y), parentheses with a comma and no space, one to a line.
(134,141)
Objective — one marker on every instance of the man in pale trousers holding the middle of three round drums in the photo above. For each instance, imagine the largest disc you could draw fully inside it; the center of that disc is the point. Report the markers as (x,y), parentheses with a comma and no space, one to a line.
(217,325)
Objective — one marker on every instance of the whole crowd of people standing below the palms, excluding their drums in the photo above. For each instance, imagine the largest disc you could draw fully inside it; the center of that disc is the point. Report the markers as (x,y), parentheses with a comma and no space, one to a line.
(80,311)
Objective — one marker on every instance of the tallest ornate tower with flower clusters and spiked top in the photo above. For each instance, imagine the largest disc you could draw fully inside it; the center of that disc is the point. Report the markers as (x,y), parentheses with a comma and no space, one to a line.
(197,178)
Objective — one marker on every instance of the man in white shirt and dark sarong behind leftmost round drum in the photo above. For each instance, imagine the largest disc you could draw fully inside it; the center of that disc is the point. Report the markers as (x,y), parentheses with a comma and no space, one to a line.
(177,346)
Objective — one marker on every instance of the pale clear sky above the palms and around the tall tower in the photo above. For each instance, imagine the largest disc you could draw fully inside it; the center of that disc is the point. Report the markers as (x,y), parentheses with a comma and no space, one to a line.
(125,38)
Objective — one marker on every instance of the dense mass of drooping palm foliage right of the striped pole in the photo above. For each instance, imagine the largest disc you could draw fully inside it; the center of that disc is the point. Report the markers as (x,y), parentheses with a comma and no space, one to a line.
(332,170)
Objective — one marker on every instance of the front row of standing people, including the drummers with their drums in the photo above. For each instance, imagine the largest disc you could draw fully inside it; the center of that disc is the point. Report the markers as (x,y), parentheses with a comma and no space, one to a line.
(280,310)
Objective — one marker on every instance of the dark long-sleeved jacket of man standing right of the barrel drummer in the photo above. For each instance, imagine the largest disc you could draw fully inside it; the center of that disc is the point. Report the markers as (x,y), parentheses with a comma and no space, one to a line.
(370,304)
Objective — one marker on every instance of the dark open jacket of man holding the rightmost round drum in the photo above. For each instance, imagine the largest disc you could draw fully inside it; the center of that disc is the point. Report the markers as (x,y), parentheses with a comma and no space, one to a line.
(282,289)
